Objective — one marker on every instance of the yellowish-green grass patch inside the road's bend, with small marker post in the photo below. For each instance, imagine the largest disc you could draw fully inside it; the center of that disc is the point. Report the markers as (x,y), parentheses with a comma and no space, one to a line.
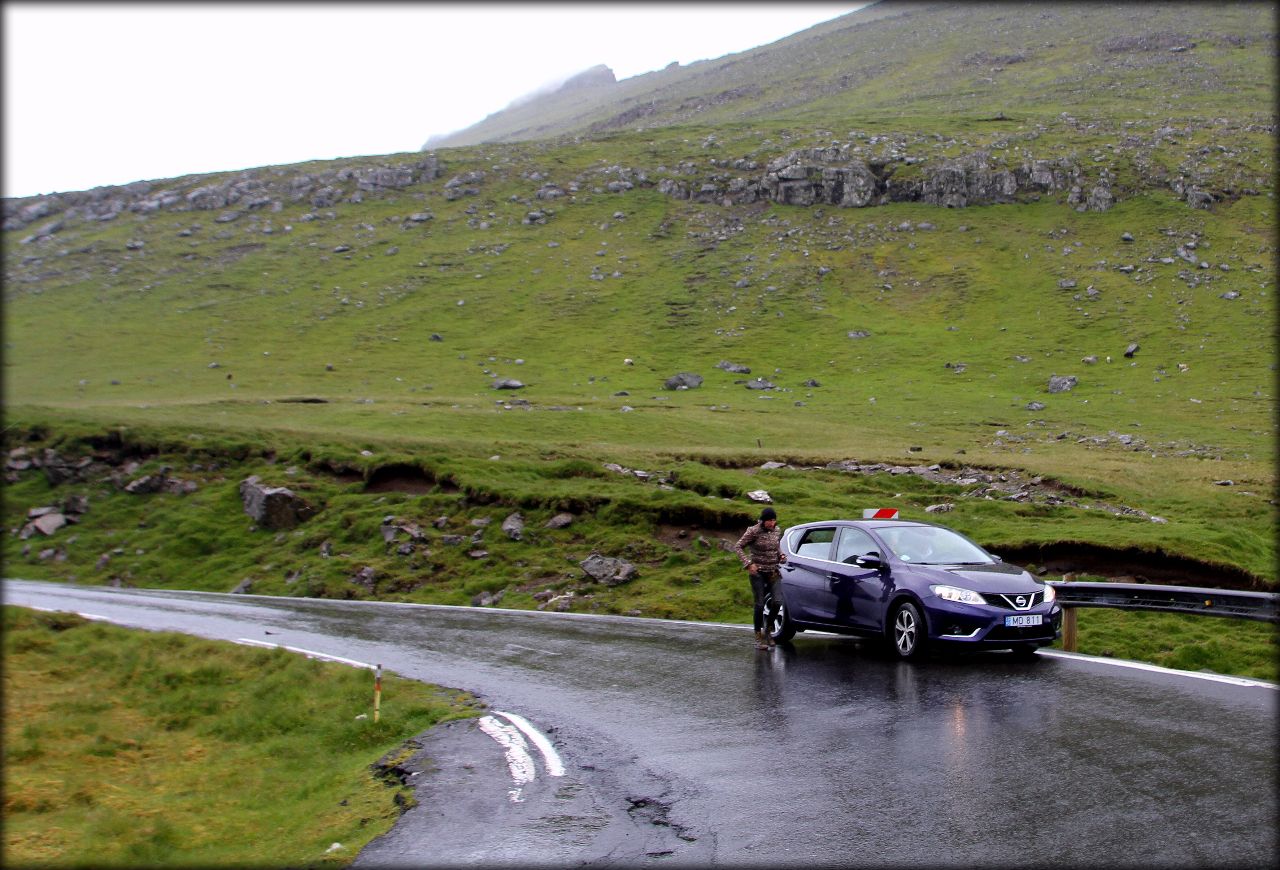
(177,752)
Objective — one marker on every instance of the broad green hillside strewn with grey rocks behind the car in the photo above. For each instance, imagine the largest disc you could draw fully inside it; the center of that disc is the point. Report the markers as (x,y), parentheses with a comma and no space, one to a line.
(340,328)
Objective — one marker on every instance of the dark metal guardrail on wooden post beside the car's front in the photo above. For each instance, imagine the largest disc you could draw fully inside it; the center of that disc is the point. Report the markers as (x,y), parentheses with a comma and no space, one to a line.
(1263,607)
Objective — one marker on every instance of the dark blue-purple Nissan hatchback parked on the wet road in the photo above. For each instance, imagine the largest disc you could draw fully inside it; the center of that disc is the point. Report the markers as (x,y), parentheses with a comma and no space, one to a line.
(915,584)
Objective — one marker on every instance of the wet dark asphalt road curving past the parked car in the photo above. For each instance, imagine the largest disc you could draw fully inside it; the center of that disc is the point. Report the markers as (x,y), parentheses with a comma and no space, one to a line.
(685,745)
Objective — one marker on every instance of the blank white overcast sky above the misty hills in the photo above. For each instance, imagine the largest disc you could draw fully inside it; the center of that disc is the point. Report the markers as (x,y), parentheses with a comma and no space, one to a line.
(109,94)
